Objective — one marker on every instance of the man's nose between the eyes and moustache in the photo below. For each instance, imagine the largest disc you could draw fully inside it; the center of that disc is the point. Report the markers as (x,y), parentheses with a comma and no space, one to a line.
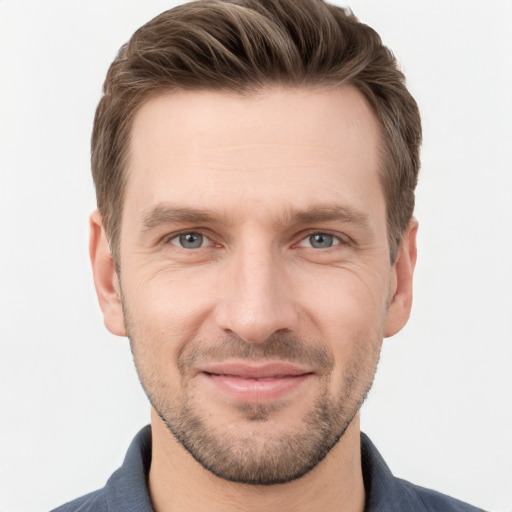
(256,296)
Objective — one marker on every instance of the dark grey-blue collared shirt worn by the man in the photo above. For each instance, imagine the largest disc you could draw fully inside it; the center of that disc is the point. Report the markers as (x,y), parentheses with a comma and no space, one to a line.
(127,491)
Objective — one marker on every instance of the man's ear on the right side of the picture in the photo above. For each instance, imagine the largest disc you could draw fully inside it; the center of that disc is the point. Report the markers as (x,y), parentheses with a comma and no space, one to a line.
(400,302)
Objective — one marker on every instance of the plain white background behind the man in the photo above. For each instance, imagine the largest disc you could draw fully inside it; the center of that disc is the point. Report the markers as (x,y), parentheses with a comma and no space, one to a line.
(441,409)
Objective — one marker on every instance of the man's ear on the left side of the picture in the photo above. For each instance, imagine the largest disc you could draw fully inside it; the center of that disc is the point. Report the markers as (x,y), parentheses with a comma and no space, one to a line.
(106,280)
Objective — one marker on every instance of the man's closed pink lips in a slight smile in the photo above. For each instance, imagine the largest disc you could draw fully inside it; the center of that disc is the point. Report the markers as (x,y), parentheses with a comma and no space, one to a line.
(256,383)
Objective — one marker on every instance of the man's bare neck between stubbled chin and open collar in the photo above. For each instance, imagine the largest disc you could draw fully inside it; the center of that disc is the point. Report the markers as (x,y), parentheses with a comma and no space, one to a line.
(178,483)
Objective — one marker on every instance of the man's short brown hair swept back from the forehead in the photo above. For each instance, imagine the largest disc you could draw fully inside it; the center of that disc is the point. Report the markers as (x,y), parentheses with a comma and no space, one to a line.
(243,46)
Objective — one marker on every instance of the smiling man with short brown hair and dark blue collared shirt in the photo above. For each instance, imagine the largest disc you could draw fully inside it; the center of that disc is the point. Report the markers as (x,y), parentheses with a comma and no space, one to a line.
(255,165)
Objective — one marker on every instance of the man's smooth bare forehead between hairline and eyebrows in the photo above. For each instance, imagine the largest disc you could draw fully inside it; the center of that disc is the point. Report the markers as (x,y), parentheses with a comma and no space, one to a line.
(278,148)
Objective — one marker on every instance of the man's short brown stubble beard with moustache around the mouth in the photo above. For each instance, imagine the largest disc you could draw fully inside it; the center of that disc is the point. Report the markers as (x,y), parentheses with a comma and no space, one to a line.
(247,455)
